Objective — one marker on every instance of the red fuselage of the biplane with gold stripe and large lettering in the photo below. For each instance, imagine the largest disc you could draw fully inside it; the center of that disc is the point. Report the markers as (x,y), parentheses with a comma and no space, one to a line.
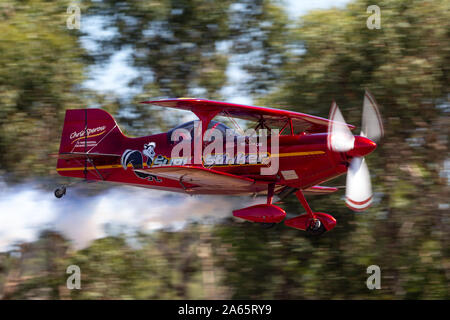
(304,161)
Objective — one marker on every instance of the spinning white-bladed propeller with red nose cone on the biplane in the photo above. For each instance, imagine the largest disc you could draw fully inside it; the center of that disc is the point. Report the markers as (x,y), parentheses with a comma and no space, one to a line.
(358,195)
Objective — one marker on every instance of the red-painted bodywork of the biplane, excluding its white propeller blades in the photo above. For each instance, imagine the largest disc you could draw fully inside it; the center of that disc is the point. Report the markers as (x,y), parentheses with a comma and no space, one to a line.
(105,152)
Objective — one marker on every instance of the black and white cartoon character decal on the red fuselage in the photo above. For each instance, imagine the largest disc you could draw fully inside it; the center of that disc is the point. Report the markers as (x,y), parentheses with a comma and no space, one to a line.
(135,158)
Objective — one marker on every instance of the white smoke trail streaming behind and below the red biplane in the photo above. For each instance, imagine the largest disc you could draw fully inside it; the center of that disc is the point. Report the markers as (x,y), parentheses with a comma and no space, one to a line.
(25,210)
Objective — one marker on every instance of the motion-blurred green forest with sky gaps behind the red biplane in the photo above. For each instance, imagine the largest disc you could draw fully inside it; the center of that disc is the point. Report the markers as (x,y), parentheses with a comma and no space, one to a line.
(185,48)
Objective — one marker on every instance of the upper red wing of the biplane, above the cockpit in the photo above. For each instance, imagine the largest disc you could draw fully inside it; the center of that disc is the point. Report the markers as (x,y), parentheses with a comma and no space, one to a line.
(272,117)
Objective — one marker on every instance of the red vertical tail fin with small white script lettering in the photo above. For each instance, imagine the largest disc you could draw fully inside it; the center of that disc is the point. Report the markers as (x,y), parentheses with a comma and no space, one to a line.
(92,131)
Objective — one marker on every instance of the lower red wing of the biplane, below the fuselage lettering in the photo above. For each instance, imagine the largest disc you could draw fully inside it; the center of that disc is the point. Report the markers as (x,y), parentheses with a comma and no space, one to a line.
(207,179)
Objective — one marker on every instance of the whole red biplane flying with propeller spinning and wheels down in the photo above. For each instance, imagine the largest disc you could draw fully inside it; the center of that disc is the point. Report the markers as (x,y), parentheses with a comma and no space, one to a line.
(311,150)
